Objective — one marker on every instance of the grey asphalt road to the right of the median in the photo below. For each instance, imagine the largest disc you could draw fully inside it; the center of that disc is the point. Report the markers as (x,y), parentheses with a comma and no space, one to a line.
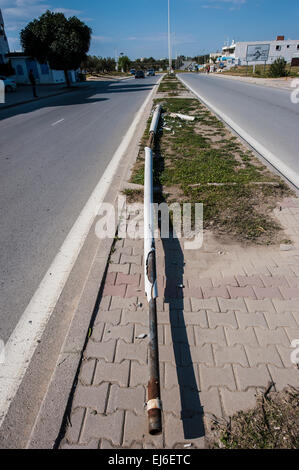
(265,113)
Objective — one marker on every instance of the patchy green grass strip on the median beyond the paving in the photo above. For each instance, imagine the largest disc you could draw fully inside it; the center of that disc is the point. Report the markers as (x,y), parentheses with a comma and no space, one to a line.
(202,162)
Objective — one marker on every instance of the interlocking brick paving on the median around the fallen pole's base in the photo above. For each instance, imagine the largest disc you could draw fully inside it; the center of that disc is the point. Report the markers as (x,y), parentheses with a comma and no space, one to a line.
(223,337)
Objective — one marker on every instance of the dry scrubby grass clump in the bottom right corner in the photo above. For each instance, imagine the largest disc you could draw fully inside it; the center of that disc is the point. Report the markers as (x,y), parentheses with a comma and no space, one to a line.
(272,424)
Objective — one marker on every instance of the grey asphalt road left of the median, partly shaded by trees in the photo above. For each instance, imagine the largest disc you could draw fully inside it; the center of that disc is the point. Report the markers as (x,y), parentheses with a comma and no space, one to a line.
(52,155)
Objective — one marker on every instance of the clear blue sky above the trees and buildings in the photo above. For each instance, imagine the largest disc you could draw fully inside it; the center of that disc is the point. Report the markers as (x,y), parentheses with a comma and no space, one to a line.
(139,27)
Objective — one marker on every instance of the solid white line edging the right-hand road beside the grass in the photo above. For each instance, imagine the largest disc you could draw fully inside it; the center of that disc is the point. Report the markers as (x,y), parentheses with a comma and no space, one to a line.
(290,174)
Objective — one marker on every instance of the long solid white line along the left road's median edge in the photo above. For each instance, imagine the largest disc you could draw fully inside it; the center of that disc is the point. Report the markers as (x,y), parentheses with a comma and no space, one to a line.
(22,343)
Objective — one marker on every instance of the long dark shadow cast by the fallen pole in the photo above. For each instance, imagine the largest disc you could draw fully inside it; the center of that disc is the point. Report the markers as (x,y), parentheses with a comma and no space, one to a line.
(191,408)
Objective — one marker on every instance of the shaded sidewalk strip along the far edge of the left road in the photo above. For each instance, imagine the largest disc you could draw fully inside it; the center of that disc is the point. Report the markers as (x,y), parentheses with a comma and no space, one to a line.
(24,93)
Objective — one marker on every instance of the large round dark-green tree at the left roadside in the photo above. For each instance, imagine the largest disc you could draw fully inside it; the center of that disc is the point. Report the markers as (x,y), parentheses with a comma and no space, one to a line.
(53,38)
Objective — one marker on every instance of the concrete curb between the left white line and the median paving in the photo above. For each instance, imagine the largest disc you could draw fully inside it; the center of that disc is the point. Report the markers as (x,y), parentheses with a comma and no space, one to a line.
(49,420)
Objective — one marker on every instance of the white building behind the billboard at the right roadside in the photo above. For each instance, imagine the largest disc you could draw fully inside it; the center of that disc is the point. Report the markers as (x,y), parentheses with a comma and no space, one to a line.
(256,52)
